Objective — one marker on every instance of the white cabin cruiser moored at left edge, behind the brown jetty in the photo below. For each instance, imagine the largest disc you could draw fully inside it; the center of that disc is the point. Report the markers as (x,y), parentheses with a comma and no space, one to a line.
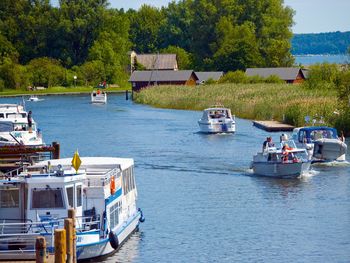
(14,127)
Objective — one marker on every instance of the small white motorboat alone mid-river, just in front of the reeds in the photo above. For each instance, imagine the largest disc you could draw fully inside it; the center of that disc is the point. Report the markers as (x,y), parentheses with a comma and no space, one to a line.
(217,120)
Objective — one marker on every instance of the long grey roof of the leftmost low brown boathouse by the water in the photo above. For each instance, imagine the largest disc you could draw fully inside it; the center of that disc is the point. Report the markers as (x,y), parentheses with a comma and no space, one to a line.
(164,75)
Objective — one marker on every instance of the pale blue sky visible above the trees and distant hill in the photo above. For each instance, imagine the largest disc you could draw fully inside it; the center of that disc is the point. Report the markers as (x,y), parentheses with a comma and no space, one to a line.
(312,16)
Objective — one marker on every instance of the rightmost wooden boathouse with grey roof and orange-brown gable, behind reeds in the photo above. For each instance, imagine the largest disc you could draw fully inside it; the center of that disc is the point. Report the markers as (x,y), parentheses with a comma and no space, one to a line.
(289,75)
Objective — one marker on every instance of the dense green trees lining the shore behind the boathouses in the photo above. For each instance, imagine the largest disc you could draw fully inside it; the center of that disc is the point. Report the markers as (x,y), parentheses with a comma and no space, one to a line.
(47,45)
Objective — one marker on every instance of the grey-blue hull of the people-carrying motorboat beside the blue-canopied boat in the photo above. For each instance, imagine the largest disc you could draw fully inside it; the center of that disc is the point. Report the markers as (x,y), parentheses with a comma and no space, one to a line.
(280,170)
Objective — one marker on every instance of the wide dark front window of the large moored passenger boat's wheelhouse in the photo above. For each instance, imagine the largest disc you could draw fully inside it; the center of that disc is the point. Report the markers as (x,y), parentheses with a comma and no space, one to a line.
(47,198)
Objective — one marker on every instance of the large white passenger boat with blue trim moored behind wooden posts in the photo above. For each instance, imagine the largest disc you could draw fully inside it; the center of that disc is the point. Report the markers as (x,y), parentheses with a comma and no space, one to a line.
(102,191)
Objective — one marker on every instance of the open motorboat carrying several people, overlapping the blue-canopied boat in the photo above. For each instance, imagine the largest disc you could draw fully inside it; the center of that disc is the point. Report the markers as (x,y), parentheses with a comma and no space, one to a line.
(284,161)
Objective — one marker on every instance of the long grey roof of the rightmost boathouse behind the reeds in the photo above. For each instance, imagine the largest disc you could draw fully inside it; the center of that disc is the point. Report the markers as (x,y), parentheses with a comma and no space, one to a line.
(282,73)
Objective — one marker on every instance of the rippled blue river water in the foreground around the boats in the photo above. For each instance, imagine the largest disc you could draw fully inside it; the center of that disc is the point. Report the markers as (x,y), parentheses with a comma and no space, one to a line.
(199,197)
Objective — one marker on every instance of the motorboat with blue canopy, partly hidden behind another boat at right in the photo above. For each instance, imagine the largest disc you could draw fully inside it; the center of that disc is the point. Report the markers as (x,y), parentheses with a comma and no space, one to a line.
(322,143)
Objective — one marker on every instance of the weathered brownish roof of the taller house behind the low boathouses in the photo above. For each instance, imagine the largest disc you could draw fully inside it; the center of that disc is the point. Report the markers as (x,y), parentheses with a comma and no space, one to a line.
(157,61)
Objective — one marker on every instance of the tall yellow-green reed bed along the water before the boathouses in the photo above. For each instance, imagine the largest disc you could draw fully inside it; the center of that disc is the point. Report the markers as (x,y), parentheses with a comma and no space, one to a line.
(249,101)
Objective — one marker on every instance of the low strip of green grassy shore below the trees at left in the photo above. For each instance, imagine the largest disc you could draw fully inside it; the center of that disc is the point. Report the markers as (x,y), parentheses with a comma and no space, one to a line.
(58,91)
